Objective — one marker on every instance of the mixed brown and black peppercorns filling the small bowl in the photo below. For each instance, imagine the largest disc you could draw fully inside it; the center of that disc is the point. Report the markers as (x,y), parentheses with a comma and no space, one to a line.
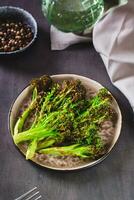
(14,36)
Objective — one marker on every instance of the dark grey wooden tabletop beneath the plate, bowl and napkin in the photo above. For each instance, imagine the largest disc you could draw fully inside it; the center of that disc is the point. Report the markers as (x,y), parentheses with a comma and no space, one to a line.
(113,179)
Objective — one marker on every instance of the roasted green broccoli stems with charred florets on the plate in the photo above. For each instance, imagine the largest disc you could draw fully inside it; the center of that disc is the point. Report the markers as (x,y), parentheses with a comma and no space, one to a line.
(64,121)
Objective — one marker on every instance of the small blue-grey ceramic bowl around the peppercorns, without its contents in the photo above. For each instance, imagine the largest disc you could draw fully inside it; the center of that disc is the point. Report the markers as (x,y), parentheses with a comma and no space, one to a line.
(15,14)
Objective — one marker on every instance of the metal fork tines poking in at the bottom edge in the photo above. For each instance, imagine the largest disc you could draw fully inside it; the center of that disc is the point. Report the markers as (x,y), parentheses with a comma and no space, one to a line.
(32,194)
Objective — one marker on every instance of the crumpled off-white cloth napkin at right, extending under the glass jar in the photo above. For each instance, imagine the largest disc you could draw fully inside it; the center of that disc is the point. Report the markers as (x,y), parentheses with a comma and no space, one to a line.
(113,38)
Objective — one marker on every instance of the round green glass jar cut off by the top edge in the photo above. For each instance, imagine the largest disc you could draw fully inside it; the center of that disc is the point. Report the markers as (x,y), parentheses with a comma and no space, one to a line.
(73,15)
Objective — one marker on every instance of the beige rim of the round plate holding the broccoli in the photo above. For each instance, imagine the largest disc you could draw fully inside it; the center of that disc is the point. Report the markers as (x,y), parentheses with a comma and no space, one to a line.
(84,80)
